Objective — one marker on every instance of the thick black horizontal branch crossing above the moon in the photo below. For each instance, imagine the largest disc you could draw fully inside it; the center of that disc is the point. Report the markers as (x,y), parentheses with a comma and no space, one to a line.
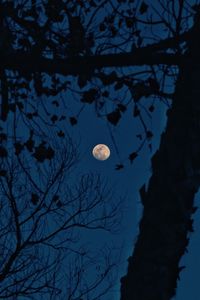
(24,62)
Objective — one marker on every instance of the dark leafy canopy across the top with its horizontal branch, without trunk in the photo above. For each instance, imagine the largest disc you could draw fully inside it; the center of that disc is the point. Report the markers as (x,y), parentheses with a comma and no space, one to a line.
(88,50)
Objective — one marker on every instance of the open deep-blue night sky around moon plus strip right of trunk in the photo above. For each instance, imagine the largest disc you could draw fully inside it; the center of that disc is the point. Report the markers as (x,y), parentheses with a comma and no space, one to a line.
(128,182)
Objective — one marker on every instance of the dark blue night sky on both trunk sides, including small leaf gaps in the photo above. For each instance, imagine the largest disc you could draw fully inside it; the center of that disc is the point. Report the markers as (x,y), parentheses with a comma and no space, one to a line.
(125,183)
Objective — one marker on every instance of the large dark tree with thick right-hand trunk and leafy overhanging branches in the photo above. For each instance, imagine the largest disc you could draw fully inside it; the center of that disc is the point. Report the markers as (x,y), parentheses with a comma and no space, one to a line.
(125,49)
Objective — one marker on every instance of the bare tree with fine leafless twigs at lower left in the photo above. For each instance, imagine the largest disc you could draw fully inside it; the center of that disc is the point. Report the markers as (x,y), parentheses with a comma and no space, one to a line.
(41,217)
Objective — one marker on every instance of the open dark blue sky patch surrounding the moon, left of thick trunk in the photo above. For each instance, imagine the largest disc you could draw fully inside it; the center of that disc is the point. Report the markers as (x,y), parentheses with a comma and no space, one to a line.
(125,182)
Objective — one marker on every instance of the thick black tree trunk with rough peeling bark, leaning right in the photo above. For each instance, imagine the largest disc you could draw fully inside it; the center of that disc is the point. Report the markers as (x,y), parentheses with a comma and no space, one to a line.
(153,268)
